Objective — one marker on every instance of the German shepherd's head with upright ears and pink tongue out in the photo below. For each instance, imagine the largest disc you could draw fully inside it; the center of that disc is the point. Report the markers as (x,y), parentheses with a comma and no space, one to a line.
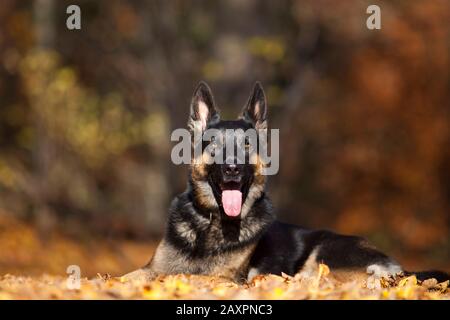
(232,185)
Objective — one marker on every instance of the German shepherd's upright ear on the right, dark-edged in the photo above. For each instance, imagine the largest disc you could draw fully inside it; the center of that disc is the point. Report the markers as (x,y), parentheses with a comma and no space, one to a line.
(255,110)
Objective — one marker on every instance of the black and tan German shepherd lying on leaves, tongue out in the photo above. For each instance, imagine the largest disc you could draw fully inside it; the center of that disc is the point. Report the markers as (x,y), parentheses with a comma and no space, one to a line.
(224,224)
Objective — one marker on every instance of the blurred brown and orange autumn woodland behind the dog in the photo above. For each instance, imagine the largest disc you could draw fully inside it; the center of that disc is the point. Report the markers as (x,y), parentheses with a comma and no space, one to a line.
(86,117)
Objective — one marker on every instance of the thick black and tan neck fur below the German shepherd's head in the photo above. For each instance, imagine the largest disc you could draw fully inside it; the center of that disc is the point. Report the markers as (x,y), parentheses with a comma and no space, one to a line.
(201,230)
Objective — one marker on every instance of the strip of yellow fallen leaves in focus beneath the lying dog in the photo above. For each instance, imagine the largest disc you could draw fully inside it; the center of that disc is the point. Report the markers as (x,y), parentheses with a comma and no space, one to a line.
(319,286)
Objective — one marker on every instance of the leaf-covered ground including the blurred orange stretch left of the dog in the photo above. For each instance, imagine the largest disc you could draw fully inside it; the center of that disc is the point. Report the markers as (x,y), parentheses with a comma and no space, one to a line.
(33,267)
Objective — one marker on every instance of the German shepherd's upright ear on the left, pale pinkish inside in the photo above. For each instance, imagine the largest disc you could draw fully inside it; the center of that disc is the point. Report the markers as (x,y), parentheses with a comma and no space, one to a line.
(203,109)
